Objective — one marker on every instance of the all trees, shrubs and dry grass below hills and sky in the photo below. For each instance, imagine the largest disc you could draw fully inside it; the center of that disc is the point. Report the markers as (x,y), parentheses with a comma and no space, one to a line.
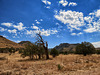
(16,65)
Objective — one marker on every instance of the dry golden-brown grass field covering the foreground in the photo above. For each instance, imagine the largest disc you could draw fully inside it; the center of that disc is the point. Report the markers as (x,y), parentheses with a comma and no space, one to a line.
(69,65)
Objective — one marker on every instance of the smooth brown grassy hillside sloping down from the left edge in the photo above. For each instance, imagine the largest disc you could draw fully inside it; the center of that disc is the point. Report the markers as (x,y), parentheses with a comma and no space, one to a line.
(7,43)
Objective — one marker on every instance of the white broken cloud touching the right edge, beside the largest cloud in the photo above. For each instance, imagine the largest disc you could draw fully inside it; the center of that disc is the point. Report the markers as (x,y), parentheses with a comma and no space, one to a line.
(93,22)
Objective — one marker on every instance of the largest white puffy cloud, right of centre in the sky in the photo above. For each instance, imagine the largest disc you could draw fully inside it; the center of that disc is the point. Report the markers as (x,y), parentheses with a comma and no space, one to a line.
(73,19)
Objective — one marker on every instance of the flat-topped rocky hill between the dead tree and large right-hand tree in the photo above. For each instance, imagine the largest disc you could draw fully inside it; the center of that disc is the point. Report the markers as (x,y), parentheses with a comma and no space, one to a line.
(66,47)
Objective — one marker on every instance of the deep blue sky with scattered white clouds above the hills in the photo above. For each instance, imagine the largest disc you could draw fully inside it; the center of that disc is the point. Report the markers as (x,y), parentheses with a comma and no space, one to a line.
(59,21)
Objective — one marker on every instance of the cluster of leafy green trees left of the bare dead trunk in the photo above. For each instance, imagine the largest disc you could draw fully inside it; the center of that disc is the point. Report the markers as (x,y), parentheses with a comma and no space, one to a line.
(32,50)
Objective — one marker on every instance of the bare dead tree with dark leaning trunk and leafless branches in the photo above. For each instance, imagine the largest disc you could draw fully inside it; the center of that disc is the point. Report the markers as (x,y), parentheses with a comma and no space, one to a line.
(41,42)
